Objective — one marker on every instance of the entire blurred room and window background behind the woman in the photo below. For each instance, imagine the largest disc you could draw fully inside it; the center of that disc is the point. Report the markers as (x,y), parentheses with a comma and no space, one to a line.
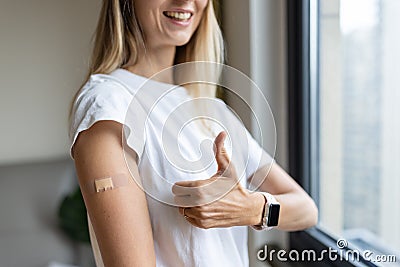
(337,60)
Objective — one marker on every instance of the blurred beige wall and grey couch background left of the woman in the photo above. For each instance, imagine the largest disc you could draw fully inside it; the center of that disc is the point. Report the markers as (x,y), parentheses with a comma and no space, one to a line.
(44,48)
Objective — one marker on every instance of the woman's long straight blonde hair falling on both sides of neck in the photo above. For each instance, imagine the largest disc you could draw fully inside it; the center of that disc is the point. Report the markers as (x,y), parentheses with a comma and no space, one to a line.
(119,38)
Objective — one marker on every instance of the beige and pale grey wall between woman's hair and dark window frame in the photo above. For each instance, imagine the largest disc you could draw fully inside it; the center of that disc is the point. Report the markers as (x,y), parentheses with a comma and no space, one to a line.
(255,33)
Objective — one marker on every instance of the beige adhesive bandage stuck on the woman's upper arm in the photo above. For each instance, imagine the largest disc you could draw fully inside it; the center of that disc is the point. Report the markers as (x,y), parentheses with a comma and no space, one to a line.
(107,183)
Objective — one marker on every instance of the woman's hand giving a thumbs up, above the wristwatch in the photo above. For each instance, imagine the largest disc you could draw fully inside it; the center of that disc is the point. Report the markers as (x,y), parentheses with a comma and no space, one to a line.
(219,201)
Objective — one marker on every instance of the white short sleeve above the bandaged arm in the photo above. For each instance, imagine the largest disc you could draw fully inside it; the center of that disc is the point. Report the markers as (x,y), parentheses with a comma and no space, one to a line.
(102,99)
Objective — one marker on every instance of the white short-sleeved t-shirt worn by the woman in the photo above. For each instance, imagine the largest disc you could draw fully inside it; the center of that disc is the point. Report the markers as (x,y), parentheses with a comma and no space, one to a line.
(162,125)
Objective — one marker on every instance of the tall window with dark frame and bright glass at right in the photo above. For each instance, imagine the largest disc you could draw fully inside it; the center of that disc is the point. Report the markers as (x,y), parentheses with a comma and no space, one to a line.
(345,58)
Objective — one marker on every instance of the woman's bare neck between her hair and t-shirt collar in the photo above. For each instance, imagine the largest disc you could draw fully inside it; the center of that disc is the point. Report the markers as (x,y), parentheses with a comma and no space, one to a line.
(153,61)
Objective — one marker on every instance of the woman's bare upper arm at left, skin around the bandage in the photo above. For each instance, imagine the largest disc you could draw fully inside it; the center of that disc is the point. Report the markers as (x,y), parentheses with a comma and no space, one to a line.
(120,216)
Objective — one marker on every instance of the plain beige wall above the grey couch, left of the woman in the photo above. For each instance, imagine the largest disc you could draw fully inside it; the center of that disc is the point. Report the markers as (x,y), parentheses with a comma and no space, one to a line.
(44,48)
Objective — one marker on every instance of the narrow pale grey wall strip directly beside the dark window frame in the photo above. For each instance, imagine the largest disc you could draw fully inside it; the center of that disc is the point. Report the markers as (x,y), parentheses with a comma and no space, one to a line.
(269,70)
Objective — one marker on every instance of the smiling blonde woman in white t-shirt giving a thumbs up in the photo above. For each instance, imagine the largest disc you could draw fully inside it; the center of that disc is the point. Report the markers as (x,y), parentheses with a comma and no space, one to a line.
(203,219)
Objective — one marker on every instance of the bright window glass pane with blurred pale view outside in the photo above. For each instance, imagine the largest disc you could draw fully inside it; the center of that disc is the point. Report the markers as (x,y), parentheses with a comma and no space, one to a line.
(359,121)
